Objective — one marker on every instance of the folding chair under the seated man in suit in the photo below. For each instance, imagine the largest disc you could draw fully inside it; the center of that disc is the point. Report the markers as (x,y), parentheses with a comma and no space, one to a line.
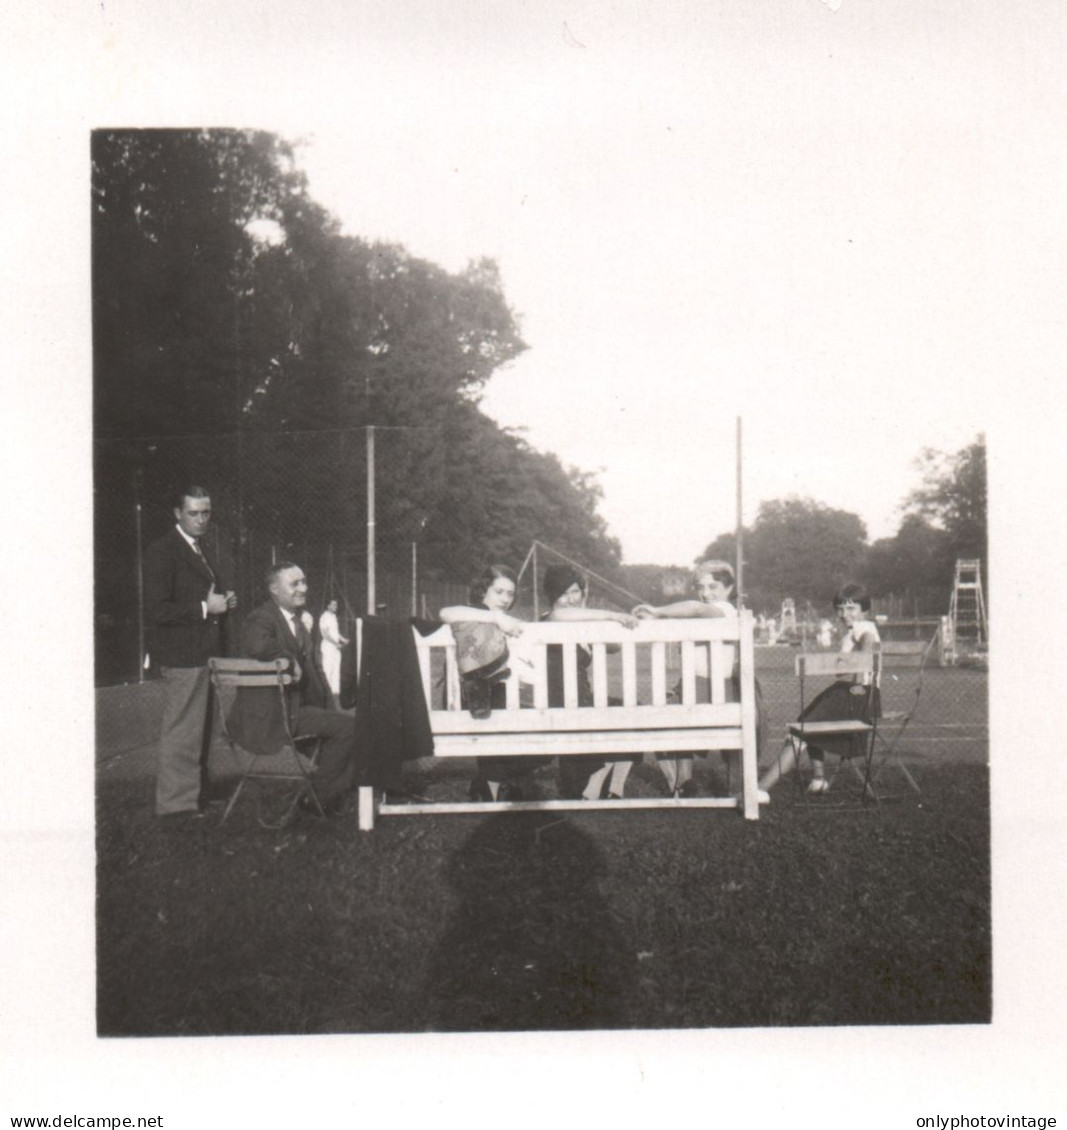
(296,762)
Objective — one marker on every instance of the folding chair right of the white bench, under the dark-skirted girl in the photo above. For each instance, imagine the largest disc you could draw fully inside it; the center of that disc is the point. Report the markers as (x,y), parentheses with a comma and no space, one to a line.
(852,736)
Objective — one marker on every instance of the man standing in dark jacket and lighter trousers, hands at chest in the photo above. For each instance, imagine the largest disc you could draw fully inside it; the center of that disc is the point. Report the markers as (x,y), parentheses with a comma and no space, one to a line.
(186,602)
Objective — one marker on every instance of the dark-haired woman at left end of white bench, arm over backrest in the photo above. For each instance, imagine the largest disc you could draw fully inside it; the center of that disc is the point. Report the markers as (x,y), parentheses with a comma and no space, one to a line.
(482,630)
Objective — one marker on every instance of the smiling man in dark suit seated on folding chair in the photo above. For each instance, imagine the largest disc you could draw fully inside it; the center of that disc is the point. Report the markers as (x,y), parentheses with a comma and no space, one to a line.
(276,630)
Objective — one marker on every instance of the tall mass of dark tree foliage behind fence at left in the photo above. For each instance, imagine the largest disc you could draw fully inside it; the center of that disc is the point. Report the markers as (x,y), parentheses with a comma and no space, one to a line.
(240,340)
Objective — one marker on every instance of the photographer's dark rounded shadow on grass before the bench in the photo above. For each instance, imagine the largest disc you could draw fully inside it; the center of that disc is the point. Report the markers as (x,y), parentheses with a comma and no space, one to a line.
(532,945)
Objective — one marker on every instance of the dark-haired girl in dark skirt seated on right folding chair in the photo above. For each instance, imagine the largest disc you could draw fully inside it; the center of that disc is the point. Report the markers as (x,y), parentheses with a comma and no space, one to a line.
(839,702)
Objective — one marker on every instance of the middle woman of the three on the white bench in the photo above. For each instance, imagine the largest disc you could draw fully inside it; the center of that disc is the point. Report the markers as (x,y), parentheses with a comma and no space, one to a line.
(580,777)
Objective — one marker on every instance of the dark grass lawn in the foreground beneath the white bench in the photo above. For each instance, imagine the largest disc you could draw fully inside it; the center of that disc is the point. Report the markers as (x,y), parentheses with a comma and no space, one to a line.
(812,916)
